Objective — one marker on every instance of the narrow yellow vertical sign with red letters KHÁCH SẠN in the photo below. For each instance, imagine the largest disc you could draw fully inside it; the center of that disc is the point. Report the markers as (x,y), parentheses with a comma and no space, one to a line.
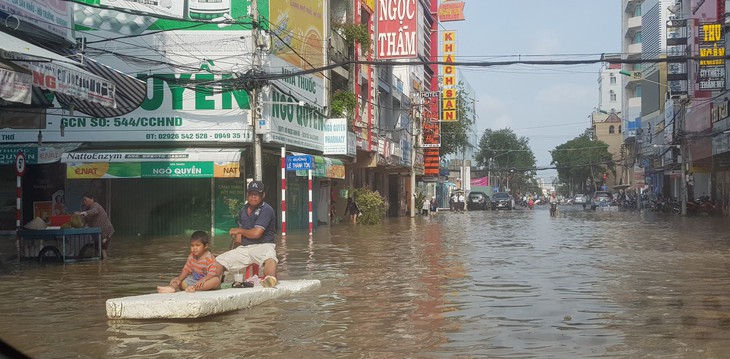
(448,75)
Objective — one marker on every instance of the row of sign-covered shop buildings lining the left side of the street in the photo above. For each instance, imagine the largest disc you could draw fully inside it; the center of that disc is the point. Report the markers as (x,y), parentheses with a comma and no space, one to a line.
(172,151)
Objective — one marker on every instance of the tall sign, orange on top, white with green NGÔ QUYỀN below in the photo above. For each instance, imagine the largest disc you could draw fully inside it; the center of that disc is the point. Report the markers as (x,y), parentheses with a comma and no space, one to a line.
(294,106)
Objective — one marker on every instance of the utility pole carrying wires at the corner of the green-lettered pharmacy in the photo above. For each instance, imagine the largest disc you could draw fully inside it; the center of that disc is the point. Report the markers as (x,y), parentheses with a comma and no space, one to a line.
(254,100)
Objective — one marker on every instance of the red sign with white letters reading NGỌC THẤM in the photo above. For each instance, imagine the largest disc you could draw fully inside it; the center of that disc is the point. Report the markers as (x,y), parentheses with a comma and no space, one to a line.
(397,29)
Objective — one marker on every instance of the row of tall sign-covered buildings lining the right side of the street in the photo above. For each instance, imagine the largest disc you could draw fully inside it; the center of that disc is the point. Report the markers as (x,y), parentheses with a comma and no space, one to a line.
(678,140)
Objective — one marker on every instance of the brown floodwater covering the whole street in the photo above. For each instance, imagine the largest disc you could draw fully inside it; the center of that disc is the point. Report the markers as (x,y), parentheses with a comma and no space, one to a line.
(508,284)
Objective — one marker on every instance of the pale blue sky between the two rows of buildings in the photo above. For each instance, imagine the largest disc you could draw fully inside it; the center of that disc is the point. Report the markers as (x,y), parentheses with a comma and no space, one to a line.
(548,104)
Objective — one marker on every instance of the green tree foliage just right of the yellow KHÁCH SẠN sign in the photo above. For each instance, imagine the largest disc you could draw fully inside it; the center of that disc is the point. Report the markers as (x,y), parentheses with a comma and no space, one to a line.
(455,135)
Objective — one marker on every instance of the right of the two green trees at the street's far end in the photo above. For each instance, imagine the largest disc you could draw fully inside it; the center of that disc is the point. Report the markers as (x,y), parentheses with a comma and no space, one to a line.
(582,160)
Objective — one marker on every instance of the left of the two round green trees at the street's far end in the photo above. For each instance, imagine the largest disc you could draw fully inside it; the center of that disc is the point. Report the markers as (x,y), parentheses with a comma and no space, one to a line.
(509,159)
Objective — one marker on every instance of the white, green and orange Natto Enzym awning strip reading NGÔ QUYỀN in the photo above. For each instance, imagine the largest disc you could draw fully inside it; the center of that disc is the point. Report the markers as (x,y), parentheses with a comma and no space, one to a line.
(174,163)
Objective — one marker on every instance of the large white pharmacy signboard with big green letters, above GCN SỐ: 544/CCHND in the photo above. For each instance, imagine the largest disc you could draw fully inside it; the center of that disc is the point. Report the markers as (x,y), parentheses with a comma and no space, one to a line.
(185,102)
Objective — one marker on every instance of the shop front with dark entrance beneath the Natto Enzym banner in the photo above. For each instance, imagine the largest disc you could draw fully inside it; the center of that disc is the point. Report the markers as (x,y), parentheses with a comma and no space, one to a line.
(160,192)
